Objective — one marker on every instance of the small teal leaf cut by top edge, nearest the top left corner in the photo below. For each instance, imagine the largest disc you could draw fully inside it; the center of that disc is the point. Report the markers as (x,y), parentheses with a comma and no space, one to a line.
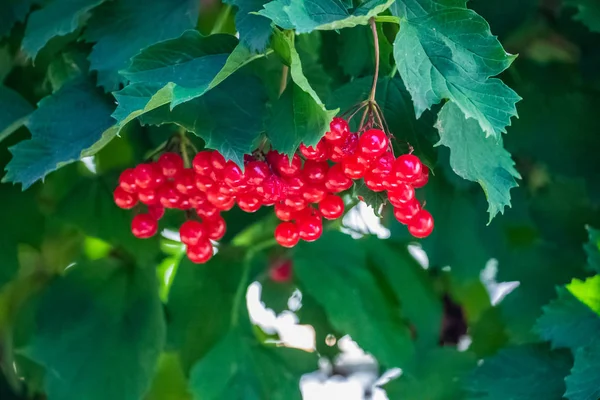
(57,18)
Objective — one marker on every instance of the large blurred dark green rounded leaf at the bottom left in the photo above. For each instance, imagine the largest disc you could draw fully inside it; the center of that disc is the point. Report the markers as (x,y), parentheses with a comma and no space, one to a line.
(110,328)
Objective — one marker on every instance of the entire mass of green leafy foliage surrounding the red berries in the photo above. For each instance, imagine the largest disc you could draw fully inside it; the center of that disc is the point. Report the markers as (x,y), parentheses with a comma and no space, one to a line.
(89,88)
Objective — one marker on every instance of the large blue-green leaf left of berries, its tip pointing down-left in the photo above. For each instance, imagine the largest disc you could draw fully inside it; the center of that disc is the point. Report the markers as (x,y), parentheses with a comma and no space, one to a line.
(64,126)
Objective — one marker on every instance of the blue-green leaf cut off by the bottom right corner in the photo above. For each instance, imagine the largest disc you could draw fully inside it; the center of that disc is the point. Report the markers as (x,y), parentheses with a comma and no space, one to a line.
(582,384)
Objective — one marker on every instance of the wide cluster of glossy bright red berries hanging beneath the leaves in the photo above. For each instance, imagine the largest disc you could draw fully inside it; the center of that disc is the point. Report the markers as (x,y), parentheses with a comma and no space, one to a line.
(303,189)
